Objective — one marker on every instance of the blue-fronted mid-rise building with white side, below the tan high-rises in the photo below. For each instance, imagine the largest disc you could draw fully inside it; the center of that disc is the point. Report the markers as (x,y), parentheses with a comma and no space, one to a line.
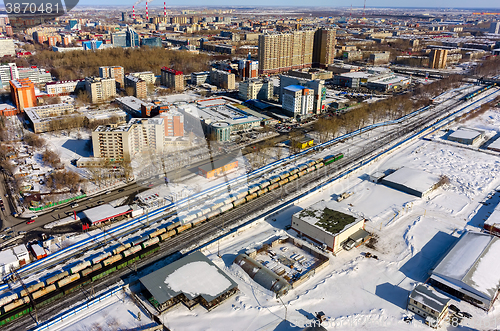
(298,101)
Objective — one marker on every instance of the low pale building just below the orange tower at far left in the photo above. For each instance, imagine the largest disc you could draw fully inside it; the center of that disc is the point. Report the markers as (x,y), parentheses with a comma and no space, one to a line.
(41,118)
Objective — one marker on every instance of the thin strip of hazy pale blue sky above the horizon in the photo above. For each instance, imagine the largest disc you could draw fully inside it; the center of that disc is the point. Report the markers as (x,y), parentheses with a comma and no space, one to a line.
(301,3)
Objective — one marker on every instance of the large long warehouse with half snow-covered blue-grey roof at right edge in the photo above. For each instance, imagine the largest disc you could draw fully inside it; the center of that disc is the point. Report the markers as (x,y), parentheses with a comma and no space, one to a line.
(470,270)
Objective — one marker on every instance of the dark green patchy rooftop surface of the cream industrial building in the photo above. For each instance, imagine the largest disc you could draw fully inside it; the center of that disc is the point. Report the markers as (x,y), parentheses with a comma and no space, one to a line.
(332,221)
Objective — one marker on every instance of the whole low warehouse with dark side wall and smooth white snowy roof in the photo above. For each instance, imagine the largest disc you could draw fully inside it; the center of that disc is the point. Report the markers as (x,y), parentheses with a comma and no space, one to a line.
(411,181)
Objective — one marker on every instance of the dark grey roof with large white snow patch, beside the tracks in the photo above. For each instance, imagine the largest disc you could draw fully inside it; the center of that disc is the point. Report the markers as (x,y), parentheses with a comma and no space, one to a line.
(194,275)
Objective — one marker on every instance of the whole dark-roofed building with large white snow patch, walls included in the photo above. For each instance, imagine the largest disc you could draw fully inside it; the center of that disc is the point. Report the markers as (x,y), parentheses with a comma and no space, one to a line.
(191,280)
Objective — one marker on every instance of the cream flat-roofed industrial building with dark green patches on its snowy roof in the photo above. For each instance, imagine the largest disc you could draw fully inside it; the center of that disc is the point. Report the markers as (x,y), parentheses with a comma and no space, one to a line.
(324,224)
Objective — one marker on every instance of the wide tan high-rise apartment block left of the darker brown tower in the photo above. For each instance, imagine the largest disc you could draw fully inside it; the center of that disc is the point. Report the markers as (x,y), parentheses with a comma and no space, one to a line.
(285,51)
